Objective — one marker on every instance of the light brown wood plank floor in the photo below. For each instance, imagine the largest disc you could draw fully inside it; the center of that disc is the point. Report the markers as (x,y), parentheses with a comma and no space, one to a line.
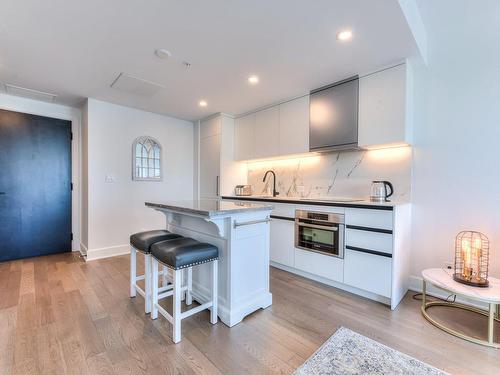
(60,315)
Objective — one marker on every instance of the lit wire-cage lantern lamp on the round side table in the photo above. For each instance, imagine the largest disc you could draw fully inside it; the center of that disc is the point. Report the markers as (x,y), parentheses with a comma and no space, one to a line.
(471,258)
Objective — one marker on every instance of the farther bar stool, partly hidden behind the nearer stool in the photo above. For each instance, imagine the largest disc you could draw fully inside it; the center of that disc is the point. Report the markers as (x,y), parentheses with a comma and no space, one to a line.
(142,242)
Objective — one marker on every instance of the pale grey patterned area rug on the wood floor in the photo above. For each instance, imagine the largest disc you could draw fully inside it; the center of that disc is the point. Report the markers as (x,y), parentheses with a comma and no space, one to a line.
(348,353)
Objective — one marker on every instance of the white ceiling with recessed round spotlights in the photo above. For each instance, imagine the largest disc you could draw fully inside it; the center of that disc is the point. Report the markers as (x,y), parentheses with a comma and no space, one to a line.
(76,49)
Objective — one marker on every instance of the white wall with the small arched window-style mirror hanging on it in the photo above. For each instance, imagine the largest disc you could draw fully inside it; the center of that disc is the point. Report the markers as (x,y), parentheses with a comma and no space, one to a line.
(116,210)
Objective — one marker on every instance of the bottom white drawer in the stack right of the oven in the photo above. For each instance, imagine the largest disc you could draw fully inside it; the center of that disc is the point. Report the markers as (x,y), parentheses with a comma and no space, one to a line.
(368,272)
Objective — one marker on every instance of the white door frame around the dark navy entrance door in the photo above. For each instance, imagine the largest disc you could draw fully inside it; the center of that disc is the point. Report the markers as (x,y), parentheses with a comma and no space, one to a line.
(46,109)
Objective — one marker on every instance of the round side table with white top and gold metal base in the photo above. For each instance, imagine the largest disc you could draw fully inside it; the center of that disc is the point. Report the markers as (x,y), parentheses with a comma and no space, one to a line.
(443,279)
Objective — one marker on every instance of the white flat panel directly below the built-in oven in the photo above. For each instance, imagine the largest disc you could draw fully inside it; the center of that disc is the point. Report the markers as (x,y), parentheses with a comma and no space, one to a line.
(321,265)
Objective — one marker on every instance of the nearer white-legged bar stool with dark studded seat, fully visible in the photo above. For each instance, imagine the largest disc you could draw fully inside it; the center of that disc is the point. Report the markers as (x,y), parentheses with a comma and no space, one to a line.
(179,254)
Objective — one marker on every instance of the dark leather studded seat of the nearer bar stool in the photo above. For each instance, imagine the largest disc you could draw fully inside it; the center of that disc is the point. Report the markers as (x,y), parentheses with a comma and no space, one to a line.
(184,252)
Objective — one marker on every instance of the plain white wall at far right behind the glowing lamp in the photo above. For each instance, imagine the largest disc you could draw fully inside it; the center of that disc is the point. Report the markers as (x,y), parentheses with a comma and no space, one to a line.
(456,175)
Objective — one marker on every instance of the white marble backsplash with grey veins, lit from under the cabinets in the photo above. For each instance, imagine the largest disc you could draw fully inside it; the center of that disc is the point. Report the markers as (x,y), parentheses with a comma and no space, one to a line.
(344,174)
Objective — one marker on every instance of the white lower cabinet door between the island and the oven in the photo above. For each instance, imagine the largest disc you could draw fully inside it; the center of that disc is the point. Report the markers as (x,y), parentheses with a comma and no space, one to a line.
(282,242)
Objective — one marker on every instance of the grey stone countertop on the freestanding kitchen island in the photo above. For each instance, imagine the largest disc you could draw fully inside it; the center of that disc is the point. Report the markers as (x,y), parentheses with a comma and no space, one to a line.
(209,207)
